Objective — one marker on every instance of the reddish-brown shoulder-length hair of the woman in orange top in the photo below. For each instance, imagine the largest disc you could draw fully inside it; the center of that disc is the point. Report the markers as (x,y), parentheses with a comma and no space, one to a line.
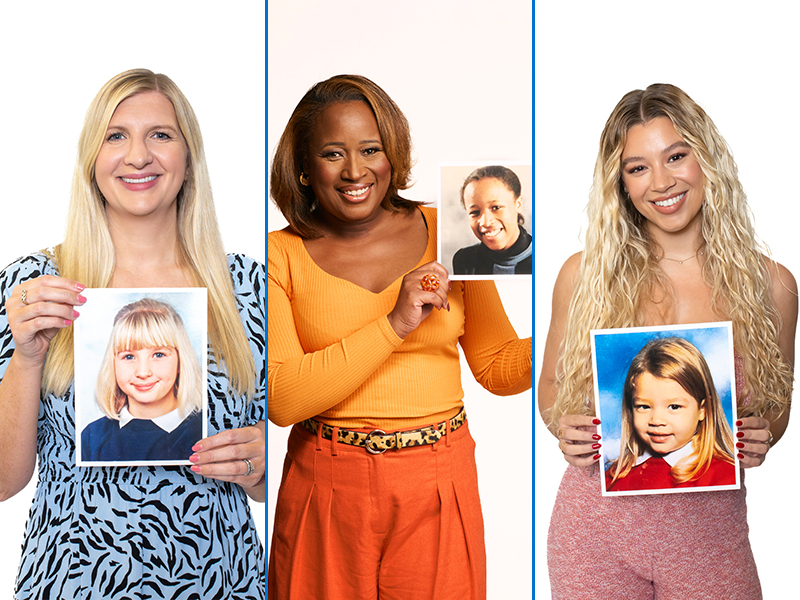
(297,202)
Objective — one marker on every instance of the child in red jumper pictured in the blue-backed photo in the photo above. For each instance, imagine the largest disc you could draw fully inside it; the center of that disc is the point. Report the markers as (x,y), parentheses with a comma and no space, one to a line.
(674,431)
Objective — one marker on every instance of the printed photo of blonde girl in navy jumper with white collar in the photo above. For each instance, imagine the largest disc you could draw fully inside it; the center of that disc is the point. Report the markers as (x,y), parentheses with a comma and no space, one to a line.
(140,372)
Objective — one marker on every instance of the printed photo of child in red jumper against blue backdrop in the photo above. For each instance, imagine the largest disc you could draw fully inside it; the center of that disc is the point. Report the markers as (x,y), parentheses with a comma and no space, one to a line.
(664,396)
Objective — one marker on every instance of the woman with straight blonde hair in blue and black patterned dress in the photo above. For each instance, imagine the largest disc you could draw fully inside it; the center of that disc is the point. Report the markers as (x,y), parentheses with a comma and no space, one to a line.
(141,215)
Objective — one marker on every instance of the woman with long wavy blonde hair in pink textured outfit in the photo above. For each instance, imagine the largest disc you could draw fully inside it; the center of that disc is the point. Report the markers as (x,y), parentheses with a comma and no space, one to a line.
(669,241)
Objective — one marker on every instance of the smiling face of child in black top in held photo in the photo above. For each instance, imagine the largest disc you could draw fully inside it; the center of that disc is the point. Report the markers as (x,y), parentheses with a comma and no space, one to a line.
(492,211)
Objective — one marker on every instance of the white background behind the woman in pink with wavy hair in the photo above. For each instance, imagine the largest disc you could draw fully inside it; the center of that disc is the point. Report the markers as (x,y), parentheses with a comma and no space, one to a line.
(739,62)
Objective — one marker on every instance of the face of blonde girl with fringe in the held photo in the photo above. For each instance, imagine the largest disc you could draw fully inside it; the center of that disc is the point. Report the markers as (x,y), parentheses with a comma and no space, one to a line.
(147,377)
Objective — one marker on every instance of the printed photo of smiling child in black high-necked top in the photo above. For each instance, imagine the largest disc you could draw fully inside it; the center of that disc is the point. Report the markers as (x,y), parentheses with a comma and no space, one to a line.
(485,220)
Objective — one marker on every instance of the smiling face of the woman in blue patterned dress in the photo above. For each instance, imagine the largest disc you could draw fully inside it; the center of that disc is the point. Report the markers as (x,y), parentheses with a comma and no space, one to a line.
(143,161)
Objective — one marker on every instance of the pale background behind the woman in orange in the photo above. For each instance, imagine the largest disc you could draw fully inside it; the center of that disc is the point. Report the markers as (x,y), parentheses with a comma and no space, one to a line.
(461,73)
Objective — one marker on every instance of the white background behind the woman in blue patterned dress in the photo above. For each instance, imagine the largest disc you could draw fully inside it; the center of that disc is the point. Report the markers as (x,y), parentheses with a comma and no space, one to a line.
(55,57)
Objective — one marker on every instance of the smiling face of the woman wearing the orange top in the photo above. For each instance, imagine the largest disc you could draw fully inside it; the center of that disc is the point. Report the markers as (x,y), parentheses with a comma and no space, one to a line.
(347,166)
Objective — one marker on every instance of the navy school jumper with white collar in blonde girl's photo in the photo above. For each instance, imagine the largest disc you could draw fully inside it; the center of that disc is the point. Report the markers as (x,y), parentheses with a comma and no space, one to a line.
(167,437)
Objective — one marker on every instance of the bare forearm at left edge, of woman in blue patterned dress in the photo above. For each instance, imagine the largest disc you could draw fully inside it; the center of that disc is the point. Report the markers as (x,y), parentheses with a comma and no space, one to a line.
(19,413)
